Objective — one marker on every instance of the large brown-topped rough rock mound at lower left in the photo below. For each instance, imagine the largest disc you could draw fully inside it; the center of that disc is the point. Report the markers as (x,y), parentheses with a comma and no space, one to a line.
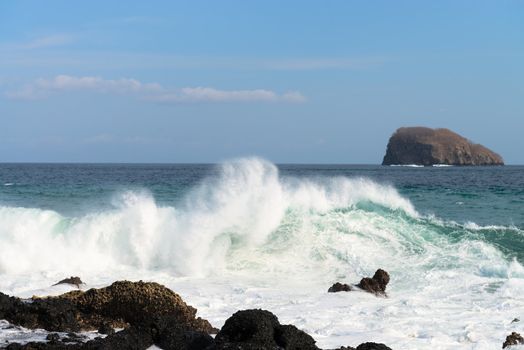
(117,306)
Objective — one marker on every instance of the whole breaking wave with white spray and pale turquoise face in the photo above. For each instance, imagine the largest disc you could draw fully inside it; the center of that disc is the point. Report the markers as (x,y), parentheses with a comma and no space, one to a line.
(246,218)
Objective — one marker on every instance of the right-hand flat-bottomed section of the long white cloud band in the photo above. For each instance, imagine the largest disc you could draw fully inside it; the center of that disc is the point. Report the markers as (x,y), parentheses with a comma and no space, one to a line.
(206,94)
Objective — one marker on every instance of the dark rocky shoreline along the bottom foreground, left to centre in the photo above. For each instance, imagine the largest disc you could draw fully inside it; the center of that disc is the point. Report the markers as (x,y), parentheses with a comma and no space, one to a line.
(147,314)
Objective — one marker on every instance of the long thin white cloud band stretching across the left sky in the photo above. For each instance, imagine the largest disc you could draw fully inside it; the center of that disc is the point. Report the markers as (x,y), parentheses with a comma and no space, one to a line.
(41,88)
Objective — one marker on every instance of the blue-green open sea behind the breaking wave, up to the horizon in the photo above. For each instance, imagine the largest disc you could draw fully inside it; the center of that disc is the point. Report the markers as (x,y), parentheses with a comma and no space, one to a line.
(486,203)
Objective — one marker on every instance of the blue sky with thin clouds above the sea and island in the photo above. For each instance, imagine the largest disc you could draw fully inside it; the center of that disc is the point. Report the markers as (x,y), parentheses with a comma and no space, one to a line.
(289,81)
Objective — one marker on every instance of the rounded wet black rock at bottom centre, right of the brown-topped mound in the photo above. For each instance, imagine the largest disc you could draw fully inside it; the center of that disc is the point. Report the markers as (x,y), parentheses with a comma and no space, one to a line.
(260,329)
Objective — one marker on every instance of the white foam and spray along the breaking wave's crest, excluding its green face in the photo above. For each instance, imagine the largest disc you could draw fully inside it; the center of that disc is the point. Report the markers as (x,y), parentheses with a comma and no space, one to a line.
(237,212)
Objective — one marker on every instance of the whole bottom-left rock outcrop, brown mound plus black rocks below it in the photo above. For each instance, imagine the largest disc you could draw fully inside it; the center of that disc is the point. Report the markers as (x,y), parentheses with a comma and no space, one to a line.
(149,312)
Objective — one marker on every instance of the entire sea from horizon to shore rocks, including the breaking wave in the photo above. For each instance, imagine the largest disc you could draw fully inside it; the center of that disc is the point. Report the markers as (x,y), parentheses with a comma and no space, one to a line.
(251,234)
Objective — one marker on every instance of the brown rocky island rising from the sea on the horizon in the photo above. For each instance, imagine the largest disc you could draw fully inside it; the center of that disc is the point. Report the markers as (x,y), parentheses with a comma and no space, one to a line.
(426,146)
